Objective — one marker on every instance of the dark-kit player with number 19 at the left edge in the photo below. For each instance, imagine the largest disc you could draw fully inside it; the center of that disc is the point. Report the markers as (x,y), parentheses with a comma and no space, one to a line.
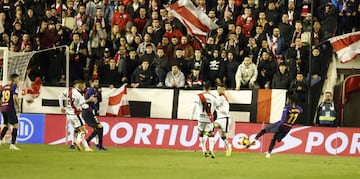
(10,106)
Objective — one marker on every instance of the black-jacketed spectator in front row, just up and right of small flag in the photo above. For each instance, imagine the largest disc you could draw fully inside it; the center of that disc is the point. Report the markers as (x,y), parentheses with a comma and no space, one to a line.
(142,76)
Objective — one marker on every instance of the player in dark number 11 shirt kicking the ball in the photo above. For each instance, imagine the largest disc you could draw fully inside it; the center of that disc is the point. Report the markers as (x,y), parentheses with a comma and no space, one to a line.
(281,128)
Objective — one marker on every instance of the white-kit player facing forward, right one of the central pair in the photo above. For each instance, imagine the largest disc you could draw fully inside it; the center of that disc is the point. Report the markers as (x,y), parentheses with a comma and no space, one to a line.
(223,120)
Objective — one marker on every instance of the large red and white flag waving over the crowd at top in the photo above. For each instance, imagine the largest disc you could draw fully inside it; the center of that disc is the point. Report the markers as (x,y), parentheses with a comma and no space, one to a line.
(196,21)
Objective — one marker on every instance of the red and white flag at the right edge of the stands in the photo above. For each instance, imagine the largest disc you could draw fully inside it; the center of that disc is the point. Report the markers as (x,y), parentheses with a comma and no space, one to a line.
(347,46)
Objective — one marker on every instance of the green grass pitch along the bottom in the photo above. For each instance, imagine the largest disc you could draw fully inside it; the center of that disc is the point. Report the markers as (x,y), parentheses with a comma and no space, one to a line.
(57,161)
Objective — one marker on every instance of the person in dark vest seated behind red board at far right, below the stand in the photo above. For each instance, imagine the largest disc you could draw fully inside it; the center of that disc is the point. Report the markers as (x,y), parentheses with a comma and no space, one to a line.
(326,111)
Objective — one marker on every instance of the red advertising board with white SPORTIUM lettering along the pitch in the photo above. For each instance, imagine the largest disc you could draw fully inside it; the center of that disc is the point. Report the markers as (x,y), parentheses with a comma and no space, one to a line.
(183,135)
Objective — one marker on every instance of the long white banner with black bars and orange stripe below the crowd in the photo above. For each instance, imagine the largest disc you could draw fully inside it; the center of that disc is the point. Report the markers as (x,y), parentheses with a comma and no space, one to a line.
(255,105)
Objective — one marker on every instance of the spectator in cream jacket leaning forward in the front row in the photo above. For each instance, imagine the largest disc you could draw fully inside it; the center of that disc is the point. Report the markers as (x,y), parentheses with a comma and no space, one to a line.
(246,74)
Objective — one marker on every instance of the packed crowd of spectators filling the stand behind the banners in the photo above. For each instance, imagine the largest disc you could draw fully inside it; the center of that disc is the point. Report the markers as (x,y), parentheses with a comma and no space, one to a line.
(258,43)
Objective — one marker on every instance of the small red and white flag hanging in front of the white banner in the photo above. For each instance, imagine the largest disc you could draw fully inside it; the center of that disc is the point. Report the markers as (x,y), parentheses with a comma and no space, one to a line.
(118,104)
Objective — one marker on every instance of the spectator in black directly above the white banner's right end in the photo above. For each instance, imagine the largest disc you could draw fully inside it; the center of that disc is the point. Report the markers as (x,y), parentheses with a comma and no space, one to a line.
(281,79)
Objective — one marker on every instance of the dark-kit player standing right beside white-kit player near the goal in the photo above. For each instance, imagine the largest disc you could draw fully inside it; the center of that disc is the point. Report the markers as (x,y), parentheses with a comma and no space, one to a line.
(90,118)
